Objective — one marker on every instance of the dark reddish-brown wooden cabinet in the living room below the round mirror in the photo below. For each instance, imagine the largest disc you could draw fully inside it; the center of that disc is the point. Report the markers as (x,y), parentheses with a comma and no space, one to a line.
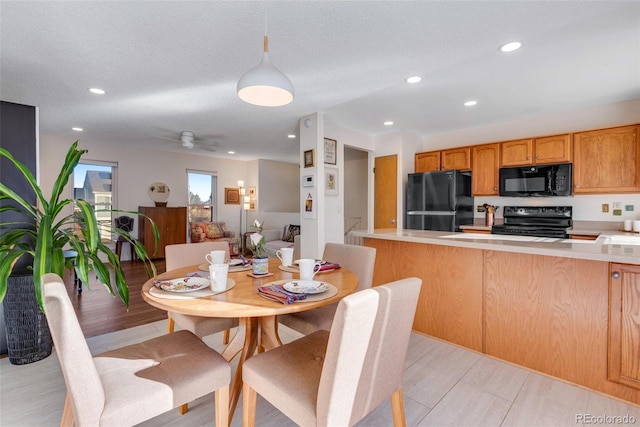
(172,227)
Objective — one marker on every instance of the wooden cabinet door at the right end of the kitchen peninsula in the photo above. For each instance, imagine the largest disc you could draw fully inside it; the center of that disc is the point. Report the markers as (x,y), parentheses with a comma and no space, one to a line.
(624,325)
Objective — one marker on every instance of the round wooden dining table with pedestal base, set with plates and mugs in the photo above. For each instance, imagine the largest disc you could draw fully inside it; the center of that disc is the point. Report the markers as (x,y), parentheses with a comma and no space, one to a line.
(257,315)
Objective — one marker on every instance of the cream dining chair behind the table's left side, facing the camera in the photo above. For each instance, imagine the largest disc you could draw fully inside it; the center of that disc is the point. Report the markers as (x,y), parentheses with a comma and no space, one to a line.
(183,255)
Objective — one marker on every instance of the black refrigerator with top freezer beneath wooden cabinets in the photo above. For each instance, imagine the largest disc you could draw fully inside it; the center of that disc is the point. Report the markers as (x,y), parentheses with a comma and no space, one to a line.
(439,201)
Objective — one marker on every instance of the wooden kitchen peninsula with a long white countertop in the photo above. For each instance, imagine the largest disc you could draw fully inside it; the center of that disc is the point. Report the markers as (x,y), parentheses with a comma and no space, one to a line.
(567,308)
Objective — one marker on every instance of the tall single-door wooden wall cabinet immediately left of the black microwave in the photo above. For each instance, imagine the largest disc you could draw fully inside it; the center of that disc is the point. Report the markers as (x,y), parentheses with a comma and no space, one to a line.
(485,168)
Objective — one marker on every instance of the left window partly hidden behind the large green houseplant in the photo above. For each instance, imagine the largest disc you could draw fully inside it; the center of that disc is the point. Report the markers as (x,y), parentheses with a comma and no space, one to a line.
(95,182)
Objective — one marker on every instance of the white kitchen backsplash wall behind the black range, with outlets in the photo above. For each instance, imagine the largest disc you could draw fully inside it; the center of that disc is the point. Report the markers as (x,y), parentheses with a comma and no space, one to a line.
(585,207)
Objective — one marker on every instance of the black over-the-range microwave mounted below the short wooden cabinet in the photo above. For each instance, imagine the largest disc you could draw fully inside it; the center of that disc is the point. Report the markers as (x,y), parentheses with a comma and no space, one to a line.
(536,181)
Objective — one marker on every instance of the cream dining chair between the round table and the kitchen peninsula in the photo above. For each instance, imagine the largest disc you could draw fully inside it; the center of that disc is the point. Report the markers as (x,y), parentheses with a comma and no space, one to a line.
(360,260)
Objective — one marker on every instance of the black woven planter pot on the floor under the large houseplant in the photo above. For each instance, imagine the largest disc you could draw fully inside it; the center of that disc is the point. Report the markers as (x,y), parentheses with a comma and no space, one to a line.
(28,335)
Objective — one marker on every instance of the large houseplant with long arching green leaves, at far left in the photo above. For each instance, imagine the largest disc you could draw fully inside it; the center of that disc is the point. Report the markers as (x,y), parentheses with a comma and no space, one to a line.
(48,229)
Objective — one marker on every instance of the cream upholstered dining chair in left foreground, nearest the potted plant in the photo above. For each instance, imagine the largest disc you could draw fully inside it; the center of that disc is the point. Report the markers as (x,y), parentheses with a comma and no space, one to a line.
(132,384)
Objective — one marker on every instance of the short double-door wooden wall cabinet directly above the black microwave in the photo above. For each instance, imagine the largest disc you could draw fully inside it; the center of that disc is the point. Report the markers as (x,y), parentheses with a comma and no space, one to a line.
(550,149)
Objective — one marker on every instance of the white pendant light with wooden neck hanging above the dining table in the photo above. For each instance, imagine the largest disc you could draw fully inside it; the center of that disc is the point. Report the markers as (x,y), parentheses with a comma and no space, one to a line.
(265,85)
